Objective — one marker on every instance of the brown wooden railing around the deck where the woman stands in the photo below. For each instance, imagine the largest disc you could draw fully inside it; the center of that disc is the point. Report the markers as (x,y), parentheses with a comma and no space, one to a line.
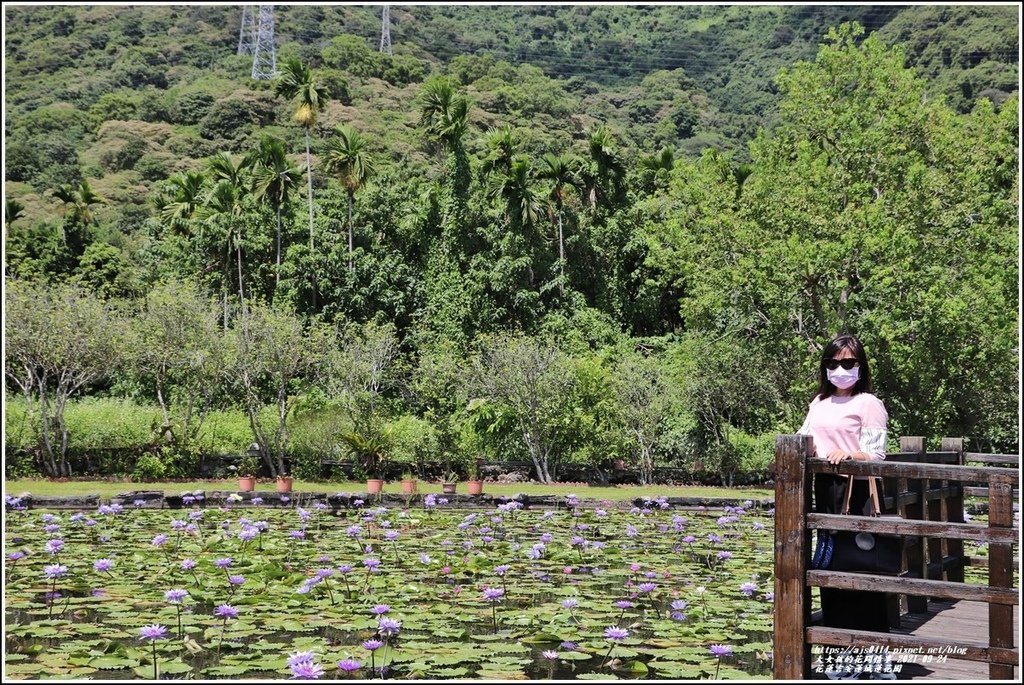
(932,483)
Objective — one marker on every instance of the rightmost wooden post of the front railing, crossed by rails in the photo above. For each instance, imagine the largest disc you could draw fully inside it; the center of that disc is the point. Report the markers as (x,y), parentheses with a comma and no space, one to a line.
(1001,573)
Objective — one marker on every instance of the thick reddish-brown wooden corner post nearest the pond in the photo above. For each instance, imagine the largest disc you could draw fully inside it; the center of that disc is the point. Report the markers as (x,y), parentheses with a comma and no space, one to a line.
(793,597)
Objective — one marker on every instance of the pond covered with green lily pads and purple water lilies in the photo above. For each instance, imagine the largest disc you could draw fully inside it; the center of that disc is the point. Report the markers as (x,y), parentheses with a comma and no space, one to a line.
(369,592)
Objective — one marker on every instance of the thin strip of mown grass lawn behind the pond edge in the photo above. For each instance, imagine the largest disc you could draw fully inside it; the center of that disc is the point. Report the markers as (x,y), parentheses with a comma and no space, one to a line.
(108,489)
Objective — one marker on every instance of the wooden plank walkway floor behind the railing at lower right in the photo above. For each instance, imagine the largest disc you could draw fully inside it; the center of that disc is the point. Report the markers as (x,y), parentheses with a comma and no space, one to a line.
(946,620)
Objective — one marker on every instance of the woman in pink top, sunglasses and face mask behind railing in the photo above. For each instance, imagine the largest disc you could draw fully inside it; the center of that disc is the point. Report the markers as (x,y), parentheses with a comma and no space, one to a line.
(847,422)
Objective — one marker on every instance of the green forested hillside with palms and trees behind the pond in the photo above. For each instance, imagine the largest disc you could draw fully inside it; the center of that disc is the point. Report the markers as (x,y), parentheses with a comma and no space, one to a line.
(558,234)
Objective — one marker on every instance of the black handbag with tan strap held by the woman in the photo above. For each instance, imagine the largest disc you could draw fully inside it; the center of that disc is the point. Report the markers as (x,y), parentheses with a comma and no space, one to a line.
(860,552)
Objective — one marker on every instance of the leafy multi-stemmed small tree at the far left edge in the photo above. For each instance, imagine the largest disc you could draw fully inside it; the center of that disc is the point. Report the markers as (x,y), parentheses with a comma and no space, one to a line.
(59,340)
